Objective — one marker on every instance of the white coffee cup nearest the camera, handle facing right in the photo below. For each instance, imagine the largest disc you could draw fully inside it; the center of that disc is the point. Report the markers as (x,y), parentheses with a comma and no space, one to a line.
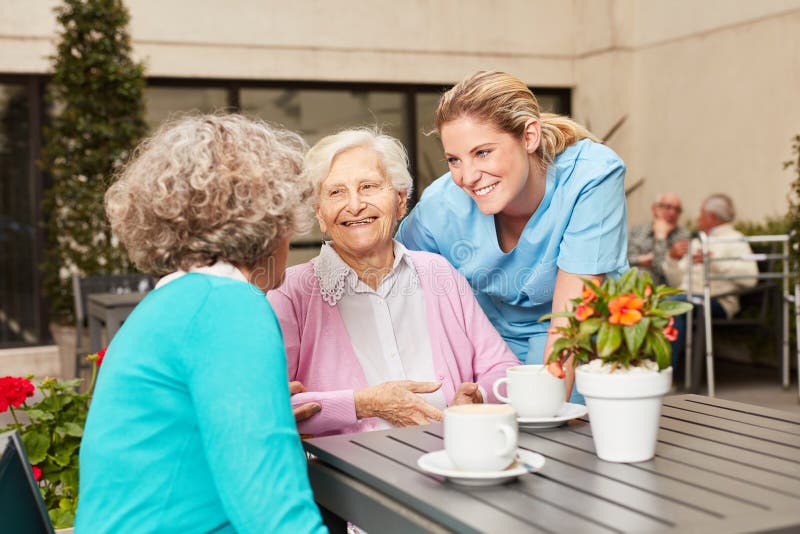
(480,437)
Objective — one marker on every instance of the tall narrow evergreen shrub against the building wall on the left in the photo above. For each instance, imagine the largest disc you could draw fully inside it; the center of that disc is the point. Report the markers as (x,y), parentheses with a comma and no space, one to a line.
(97,94)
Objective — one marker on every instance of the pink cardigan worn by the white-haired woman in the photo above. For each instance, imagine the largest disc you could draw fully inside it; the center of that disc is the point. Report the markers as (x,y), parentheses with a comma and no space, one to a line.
(465,345)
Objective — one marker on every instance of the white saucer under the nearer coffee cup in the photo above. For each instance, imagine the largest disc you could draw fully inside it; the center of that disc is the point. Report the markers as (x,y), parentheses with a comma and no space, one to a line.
(438,463)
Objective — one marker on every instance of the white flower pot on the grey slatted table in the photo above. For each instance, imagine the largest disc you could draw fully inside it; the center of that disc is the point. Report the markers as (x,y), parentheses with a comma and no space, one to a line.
(624,411)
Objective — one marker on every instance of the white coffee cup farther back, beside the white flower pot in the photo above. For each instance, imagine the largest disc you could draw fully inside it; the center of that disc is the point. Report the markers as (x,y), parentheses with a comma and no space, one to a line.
(532,391)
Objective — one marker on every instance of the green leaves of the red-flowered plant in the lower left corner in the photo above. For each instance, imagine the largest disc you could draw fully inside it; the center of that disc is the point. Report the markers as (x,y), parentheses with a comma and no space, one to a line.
(52,438)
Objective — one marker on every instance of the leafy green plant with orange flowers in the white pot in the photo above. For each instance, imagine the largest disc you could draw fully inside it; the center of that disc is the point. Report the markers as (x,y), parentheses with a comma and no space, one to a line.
(623,322)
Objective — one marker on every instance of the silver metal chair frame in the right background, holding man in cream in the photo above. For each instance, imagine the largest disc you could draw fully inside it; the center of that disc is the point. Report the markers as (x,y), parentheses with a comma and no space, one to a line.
(767,285)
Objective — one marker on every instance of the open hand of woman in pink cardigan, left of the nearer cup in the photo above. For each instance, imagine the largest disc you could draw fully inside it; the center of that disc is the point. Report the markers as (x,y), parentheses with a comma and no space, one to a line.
(397,403)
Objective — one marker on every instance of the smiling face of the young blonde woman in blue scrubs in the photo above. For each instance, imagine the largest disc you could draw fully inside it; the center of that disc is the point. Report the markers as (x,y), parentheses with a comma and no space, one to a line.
(490,165)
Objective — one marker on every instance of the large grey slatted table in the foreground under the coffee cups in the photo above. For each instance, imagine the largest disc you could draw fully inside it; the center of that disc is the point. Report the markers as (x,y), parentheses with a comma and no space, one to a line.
(720,466)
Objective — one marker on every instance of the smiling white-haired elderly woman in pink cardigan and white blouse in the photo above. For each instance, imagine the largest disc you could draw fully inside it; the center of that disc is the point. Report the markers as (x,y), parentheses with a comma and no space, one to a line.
(379,335)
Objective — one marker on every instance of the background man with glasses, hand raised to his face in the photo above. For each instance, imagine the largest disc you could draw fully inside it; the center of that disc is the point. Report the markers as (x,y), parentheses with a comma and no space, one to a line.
(649,243)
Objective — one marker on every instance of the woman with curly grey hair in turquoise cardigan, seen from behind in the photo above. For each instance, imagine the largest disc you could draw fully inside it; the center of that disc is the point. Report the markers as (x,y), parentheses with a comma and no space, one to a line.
(190,428)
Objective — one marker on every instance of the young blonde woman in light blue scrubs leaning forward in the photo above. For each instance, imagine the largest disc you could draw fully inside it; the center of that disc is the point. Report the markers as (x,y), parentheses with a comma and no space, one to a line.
(532,204)
